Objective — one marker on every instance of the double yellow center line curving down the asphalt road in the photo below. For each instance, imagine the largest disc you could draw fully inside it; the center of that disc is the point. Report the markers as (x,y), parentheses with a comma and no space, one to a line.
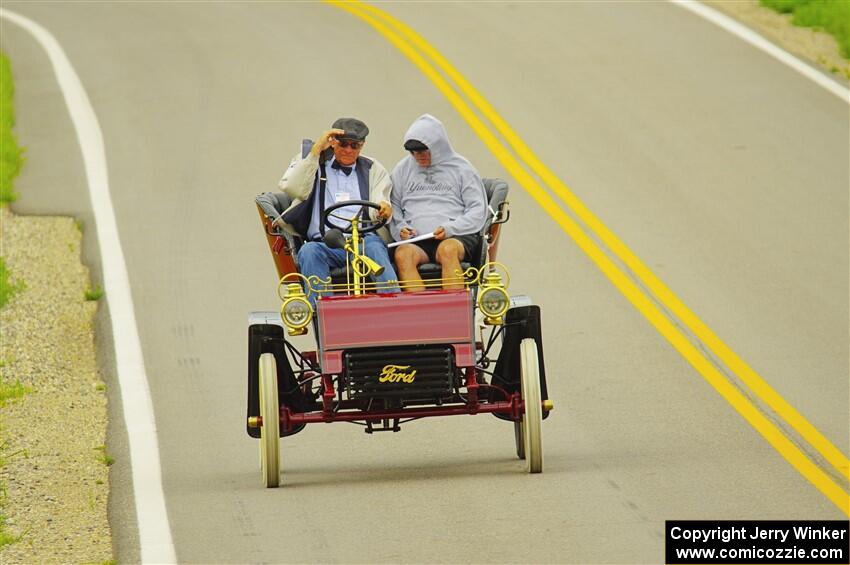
(522,160)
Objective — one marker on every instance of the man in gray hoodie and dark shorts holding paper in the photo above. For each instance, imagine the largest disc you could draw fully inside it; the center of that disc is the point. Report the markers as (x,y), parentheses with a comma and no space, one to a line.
(435,191)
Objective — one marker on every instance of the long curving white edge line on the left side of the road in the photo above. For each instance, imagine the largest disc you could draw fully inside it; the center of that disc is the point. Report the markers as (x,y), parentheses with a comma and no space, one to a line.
(154,532)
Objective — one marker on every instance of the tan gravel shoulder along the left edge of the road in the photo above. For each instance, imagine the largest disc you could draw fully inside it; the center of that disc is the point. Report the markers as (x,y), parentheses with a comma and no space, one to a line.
(57,483)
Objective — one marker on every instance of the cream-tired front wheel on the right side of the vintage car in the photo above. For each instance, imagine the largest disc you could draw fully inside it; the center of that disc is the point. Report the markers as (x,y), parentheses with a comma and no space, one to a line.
(532,420)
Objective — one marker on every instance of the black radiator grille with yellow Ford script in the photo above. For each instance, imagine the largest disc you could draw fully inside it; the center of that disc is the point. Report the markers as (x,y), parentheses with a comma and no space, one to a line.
(417,372)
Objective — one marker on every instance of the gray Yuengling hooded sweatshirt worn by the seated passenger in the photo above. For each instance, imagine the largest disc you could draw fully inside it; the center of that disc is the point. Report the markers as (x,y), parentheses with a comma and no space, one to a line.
(447,193)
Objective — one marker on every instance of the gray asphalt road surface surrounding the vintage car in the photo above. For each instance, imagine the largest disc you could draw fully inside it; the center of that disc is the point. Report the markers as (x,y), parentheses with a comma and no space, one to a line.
(726,172)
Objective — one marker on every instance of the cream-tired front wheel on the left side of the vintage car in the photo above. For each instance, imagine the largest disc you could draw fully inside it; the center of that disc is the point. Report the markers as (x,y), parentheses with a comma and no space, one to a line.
(270,430)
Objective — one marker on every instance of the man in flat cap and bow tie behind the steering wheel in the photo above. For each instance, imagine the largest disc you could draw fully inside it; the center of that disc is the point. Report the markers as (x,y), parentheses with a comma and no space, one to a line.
(334,167)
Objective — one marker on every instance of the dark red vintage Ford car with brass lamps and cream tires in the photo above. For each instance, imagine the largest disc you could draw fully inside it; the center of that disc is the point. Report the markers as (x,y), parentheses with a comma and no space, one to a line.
(385,359)
